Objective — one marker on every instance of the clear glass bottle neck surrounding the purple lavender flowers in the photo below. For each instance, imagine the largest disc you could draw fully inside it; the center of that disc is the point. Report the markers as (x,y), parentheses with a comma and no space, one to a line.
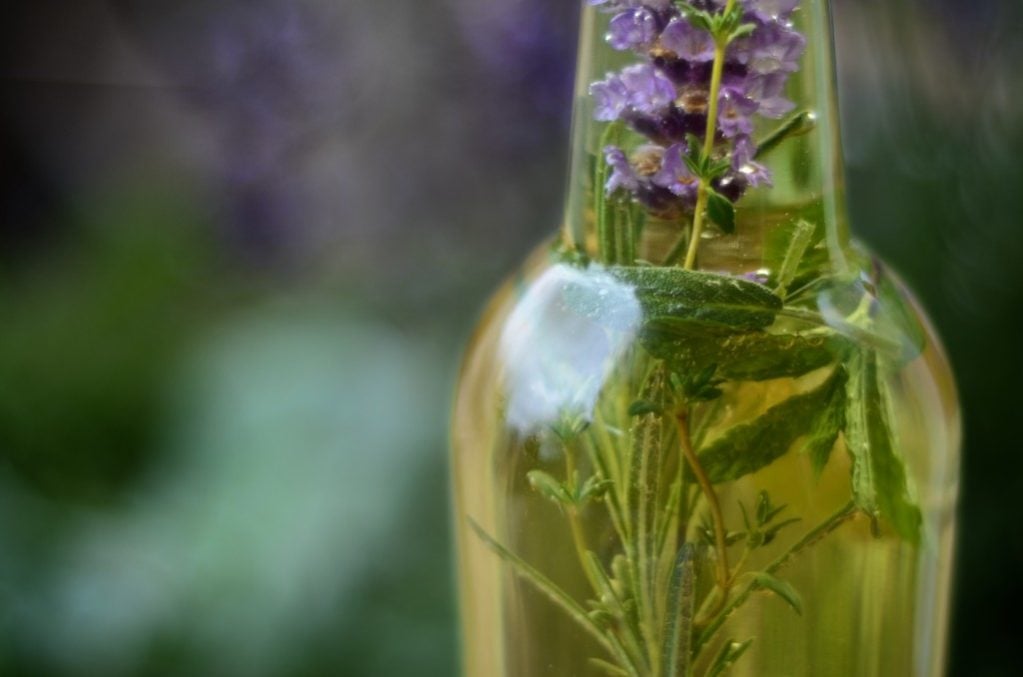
(807,176)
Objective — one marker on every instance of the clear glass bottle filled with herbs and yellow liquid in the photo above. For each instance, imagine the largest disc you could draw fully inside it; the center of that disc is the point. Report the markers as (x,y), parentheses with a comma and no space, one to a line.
(705,433)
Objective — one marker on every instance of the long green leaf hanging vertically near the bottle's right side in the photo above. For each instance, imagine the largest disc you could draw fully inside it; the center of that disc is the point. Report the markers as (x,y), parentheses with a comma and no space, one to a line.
(880,482)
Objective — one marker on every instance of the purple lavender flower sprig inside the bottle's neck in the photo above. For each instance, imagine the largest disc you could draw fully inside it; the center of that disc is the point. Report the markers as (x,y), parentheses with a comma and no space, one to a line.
(707,70)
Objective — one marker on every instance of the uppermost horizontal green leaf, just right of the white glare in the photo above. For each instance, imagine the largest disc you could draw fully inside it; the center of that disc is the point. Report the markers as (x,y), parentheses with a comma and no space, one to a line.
(677,296)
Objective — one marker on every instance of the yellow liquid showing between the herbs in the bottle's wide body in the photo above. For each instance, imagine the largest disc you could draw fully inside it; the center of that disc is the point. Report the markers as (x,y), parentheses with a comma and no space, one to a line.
(873,605)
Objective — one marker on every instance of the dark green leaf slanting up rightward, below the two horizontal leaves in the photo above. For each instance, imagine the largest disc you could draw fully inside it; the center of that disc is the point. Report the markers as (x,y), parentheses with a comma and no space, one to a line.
(750,447)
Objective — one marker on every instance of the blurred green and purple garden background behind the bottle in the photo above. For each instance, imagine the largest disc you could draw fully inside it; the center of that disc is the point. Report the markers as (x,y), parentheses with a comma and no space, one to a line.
(242,244)
